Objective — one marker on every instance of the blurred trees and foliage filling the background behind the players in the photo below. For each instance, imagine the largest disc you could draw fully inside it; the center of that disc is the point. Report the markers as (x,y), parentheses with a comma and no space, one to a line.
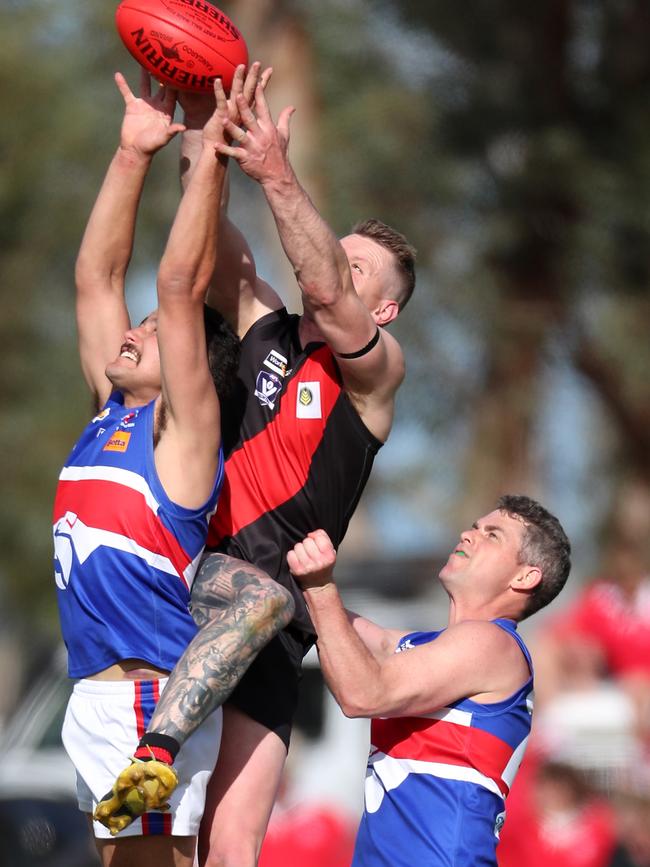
(509,141)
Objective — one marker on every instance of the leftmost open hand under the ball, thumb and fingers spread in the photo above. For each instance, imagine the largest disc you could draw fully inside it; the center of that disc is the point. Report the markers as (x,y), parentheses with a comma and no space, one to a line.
(148,123)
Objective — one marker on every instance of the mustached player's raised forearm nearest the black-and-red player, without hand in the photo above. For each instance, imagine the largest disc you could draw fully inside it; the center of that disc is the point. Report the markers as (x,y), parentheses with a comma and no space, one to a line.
(188,262)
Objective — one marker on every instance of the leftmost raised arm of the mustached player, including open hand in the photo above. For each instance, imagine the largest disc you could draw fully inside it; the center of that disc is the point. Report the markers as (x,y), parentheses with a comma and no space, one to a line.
(102,316)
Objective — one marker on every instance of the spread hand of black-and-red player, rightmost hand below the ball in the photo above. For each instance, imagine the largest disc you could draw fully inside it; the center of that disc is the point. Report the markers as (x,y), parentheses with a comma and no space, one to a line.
(258,144)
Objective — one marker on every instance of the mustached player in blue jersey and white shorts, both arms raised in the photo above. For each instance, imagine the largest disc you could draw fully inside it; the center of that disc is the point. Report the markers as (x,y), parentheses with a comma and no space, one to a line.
(136,494)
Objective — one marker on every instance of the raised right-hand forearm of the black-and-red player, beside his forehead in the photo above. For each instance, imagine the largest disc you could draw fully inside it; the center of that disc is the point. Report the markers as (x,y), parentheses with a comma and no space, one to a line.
(317,258)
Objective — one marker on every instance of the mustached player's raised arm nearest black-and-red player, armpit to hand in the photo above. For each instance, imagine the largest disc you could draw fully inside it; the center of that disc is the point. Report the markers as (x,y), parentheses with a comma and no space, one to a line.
(188,449)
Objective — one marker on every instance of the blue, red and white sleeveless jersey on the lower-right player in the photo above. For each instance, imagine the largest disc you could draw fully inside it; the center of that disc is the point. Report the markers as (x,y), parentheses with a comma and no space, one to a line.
(436,784)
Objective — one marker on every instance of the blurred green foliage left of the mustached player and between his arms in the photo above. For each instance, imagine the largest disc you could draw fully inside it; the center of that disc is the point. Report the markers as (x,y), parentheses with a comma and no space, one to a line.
(59,131)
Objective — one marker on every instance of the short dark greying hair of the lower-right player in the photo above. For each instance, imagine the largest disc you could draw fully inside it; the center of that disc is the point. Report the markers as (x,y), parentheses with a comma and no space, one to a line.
(545,545)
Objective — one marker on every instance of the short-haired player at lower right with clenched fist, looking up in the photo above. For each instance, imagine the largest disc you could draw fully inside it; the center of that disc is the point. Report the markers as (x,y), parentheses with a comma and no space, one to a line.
(451,709)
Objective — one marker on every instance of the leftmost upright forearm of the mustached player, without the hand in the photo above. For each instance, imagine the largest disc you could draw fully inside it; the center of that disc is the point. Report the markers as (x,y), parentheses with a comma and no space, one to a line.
(107,243)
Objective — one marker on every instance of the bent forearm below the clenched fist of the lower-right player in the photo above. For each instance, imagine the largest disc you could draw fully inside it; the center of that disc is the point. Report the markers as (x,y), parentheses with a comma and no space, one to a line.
(350,670)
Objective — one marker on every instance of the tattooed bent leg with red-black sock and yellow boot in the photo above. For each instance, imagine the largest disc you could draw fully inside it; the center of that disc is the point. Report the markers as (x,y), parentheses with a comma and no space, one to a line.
(238,609)
